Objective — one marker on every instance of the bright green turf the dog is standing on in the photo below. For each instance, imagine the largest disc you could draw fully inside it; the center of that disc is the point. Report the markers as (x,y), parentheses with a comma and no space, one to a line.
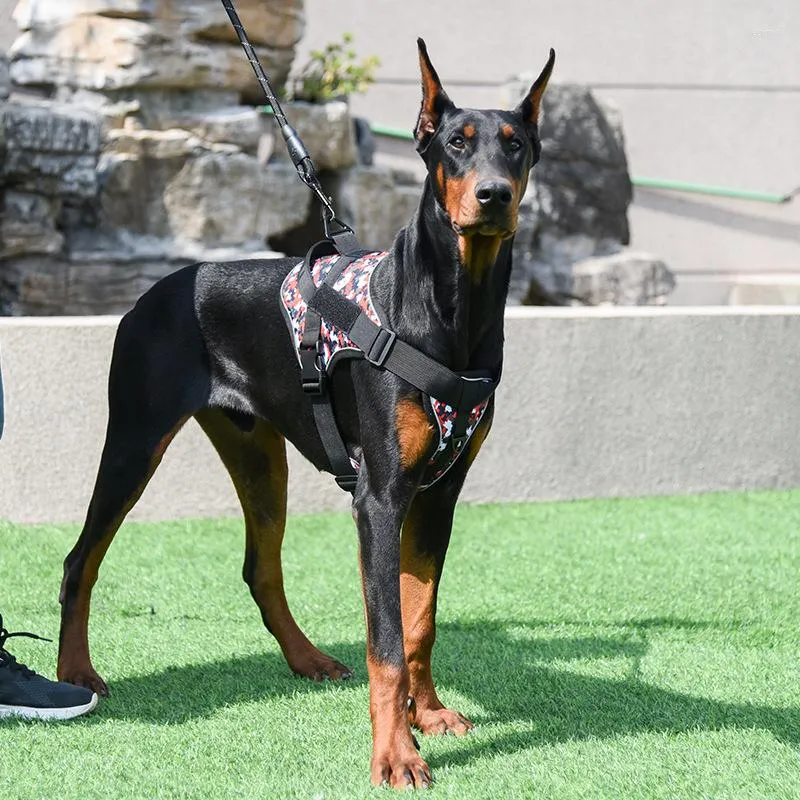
(605,649)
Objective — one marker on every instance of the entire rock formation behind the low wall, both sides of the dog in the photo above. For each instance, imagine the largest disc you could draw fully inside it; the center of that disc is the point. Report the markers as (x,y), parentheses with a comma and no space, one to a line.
(130,146)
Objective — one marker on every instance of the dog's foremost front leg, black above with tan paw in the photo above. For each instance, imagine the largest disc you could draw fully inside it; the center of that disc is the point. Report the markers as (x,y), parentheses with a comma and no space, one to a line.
(379,514)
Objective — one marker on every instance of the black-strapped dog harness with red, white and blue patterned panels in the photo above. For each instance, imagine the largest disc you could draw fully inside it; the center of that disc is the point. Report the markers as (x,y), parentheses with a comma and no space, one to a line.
(332,315)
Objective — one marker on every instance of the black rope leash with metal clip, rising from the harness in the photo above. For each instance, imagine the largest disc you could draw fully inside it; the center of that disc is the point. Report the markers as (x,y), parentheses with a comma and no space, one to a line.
(297,150)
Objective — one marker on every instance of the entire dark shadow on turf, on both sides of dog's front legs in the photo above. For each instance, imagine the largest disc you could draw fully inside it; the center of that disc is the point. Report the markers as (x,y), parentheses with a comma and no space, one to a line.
(503,665)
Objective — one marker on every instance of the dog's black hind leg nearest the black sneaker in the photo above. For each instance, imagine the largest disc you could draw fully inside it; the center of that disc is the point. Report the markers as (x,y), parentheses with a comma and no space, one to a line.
(156,382)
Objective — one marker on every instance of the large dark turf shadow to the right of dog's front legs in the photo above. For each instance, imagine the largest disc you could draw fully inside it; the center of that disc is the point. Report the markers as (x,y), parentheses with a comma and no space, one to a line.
(509,677)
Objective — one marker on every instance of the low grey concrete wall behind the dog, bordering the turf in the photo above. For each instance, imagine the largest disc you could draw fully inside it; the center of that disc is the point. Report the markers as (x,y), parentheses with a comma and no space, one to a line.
(598,402)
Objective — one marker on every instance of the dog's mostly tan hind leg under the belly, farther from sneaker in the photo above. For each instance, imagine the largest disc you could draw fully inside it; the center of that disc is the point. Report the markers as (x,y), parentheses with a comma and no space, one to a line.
(256,461)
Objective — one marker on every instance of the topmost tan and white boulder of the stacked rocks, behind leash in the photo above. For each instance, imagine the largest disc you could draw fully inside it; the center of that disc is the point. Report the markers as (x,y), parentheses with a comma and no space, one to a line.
(127,48)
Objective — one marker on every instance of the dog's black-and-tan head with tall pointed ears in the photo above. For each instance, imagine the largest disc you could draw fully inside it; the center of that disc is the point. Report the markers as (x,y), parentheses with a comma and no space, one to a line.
(478,161)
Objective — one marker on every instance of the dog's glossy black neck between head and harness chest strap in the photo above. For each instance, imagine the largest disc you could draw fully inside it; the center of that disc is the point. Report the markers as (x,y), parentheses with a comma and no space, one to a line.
(452,285)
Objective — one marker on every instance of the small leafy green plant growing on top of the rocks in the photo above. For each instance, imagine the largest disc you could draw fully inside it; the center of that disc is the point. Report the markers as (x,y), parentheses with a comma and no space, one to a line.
(333,73)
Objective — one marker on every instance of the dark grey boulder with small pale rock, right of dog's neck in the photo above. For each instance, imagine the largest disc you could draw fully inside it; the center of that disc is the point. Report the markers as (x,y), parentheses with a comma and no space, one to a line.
(575,210)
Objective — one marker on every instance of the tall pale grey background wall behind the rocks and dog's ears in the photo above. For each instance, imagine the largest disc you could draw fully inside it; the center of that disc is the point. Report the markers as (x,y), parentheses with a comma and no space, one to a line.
(709,92)
